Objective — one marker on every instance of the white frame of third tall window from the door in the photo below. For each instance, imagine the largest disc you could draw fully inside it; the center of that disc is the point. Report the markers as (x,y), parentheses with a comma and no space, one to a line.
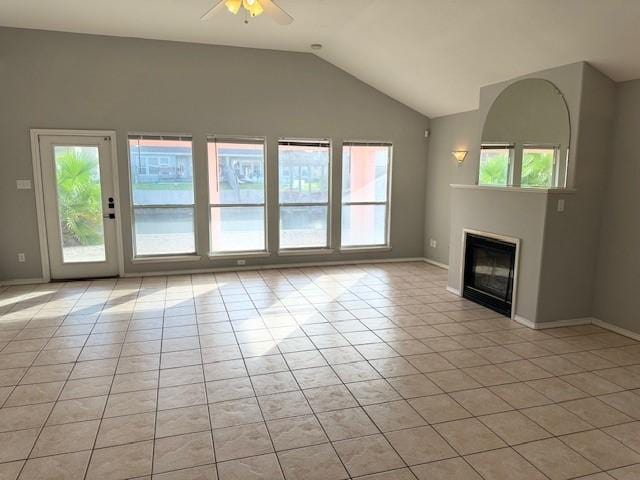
(327,248)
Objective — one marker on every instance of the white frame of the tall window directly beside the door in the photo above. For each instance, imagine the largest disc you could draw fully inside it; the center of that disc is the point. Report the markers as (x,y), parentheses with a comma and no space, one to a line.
(152,257)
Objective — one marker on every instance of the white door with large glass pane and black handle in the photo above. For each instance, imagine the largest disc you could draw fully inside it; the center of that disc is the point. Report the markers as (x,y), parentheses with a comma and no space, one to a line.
(78,185)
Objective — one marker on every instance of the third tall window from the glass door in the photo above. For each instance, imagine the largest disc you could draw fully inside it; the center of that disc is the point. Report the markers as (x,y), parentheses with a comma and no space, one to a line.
(304,169)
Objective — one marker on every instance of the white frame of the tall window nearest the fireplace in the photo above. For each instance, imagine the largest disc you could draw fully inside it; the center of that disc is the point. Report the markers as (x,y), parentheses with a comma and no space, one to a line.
(387,203)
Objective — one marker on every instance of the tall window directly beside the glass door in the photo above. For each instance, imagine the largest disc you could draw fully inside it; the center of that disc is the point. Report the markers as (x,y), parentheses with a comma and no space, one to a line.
(162,195)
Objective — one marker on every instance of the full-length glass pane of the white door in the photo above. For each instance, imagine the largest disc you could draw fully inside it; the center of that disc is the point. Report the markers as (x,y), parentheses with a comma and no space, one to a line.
(79,198)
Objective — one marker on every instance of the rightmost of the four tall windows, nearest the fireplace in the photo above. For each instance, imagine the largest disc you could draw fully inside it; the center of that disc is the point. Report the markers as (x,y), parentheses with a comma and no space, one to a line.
(365,194)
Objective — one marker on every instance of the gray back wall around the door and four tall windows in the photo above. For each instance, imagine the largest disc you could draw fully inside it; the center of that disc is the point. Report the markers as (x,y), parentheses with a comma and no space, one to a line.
(71,81)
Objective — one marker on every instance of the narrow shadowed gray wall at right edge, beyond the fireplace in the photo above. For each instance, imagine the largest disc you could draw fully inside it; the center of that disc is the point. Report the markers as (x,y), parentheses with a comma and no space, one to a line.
(618,275)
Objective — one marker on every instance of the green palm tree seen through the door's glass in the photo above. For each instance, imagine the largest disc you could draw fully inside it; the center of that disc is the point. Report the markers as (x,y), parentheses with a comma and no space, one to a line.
(79,197)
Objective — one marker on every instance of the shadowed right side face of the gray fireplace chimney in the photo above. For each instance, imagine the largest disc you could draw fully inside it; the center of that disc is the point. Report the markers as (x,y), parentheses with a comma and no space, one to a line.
(572,237)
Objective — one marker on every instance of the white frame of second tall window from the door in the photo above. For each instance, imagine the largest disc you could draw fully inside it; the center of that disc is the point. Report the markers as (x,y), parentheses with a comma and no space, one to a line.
(234,253)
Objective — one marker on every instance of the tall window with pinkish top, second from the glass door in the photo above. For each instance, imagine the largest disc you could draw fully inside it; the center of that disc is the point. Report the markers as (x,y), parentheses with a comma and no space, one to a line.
(236,195)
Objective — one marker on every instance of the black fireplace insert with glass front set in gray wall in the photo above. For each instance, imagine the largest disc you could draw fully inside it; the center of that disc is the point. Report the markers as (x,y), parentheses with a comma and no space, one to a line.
(488,272)
